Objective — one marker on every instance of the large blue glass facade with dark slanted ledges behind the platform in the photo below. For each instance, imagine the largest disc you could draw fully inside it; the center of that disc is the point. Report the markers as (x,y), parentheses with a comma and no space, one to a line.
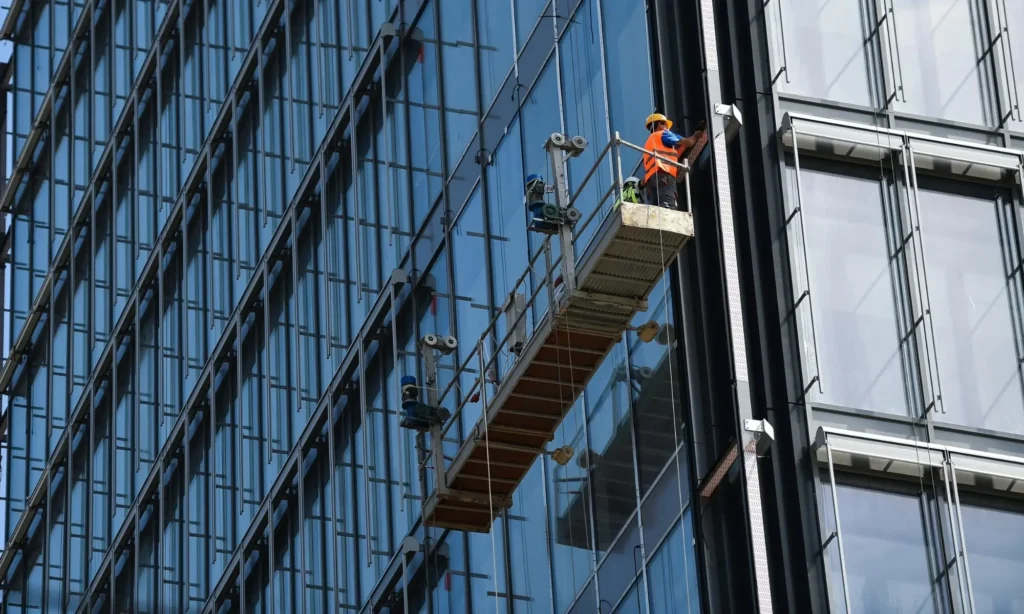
(290,202)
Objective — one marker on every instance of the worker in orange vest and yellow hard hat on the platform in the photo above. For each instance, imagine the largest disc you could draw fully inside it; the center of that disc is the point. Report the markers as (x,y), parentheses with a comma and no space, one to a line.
(660,173)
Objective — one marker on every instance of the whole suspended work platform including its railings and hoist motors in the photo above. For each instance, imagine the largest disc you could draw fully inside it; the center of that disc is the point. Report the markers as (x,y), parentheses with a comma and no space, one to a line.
(590,306)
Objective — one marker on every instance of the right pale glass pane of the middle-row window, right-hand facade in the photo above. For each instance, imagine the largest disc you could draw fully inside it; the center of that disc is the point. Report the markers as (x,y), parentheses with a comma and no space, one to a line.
(975,348)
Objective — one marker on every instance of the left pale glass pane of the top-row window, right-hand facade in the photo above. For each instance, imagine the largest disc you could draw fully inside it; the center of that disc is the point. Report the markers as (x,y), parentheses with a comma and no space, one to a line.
(832,51)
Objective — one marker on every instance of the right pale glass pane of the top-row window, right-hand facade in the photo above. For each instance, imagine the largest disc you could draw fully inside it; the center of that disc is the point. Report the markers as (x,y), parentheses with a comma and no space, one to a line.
(944,55)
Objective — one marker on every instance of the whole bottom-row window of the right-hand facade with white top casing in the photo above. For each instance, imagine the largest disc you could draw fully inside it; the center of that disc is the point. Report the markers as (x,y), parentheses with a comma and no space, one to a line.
(909,528)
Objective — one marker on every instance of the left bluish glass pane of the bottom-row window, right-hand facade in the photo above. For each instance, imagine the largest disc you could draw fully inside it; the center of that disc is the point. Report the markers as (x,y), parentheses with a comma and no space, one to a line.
(891,546)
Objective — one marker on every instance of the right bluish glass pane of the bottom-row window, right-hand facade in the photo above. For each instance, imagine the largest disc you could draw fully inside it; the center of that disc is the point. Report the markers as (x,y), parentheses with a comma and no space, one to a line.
(997,561)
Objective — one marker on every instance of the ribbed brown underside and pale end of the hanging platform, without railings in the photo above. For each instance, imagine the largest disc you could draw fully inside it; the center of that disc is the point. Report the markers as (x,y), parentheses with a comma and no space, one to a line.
(617,273)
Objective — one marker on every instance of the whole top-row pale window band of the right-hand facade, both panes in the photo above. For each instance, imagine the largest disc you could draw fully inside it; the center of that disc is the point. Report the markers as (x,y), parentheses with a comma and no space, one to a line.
(957,61)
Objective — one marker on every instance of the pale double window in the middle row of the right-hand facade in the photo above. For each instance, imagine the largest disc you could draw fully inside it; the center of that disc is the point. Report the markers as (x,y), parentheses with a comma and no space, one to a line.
(926,321)
